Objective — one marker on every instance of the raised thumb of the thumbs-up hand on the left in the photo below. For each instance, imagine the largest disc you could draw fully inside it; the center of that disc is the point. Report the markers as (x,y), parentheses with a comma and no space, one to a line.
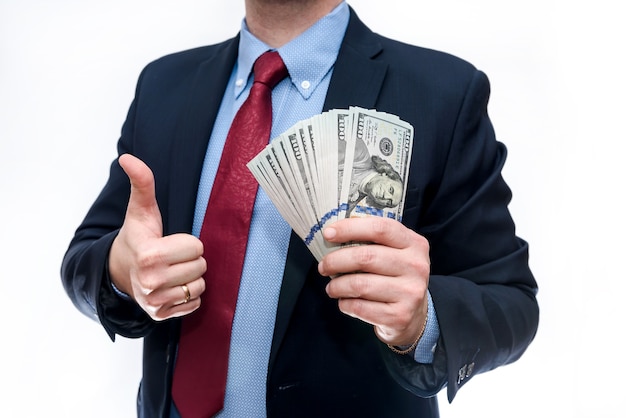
(142,202)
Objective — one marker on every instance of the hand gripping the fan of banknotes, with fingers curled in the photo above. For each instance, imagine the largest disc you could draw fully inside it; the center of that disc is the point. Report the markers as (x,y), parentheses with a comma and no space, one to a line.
(383,283)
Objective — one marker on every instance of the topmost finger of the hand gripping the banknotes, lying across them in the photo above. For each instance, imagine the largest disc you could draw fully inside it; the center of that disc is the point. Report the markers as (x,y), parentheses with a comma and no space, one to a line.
(375,229)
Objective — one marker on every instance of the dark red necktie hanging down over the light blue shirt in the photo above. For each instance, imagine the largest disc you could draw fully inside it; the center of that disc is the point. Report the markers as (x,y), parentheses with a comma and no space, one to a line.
(200,374)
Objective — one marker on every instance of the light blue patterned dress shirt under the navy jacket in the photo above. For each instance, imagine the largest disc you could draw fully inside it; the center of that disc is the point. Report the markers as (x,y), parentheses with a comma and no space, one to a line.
(309,59)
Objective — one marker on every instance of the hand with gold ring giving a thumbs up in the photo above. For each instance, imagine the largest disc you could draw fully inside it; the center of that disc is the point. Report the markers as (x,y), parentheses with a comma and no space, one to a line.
(162,274)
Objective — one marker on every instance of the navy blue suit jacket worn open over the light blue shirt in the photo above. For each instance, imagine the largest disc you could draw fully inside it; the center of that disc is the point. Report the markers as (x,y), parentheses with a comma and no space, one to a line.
(323,363)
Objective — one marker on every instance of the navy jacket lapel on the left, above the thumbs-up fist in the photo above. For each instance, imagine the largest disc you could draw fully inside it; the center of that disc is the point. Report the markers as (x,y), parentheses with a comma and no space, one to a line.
(197,120)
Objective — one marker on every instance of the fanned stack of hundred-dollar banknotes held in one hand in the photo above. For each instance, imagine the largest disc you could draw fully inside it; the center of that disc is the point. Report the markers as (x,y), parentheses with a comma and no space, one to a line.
(341,163)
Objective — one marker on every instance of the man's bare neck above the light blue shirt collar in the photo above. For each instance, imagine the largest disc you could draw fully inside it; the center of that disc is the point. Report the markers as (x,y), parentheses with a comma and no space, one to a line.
(277,22)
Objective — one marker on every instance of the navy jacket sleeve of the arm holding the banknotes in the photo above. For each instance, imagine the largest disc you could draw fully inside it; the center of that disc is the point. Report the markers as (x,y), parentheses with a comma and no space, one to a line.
(482,288)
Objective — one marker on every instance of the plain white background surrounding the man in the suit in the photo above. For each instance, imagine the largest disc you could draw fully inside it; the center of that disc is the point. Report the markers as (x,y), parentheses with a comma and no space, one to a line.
(67,75)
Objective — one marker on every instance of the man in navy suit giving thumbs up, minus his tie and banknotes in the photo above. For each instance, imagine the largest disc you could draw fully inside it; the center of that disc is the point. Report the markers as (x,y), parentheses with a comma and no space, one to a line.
(353,345)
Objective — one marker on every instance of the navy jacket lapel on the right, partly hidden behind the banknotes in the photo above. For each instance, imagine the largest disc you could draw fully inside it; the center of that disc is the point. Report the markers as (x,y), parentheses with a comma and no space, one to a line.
(347,88)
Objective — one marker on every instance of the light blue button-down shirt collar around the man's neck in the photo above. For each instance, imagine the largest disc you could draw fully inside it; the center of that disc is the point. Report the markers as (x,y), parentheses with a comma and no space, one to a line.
(308,57)
